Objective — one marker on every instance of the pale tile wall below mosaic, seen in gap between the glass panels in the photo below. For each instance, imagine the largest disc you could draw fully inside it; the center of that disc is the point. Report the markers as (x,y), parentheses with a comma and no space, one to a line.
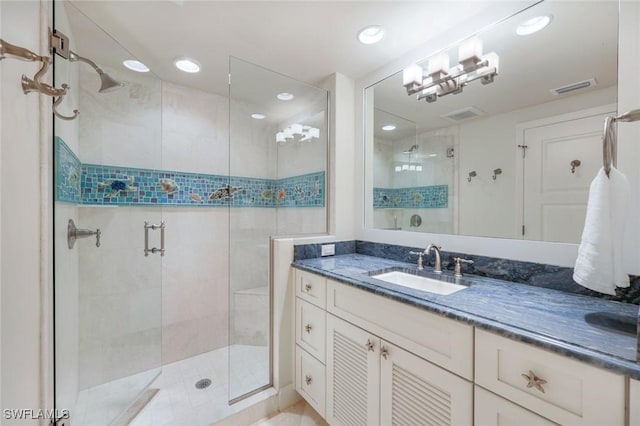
(195,281)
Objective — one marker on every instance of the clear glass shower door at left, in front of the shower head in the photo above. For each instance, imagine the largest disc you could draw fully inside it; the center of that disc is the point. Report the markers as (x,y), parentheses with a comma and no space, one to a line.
(106,177)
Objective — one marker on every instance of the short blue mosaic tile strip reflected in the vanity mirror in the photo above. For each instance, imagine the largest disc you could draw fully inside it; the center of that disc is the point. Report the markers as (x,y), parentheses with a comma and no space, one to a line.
(423,197)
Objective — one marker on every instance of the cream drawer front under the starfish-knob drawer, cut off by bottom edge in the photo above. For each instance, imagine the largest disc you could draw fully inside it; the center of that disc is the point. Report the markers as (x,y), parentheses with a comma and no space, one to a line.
(492,410)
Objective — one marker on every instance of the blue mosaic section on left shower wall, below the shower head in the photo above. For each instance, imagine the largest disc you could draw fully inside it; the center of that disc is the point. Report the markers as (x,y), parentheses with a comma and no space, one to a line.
(67,172)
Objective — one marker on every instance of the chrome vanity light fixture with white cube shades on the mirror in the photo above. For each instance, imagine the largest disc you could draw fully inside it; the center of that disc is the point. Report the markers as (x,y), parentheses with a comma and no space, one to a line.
(440,80)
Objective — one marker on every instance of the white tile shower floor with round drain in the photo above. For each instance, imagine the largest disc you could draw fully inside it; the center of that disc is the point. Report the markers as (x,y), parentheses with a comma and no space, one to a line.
(179,403)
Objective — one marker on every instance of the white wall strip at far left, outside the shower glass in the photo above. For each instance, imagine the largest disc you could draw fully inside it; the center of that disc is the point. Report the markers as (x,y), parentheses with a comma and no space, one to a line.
(24,128)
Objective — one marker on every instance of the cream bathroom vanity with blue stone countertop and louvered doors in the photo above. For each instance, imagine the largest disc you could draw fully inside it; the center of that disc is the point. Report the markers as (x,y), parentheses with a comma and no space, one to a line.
(371,352)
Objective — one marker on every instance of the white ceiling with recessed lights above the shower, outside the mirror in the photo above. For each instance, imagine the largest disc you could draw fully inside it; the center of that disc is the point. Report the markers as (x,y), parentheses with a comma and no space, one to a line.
(307,40)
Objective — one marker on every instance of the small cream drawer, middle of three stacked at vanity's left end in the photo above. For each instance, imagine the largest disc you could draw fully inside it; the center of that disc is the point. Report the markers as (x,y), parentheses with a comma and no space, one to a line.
(311,328)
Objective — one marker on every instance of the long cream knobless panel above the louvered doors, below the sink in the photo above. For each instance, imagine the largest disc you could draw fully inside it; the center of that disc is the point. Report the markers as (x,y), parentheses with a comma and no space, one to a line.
(437,339)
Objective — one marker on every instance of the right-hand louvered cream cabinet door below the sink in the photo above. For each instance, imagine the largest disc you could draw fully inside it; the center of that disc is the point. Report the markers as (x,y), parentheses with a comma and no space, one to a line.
(415,392)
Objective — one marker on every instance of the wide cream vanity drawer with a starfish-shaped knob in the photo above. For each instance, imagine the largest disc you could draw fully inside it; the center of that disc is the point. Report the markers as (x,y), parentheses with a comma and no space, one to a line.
(575,393)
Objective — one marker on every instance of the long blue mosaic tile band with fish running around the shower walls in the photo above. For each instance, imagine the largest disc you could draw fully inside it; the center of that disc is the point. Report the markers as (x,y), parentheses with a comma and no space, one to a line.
(113,185)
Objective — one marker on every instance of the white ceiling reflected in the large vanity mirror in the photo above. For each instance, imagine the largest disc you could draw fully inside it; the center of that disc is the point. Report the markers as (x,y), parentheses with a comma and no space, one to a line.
(580,43)
